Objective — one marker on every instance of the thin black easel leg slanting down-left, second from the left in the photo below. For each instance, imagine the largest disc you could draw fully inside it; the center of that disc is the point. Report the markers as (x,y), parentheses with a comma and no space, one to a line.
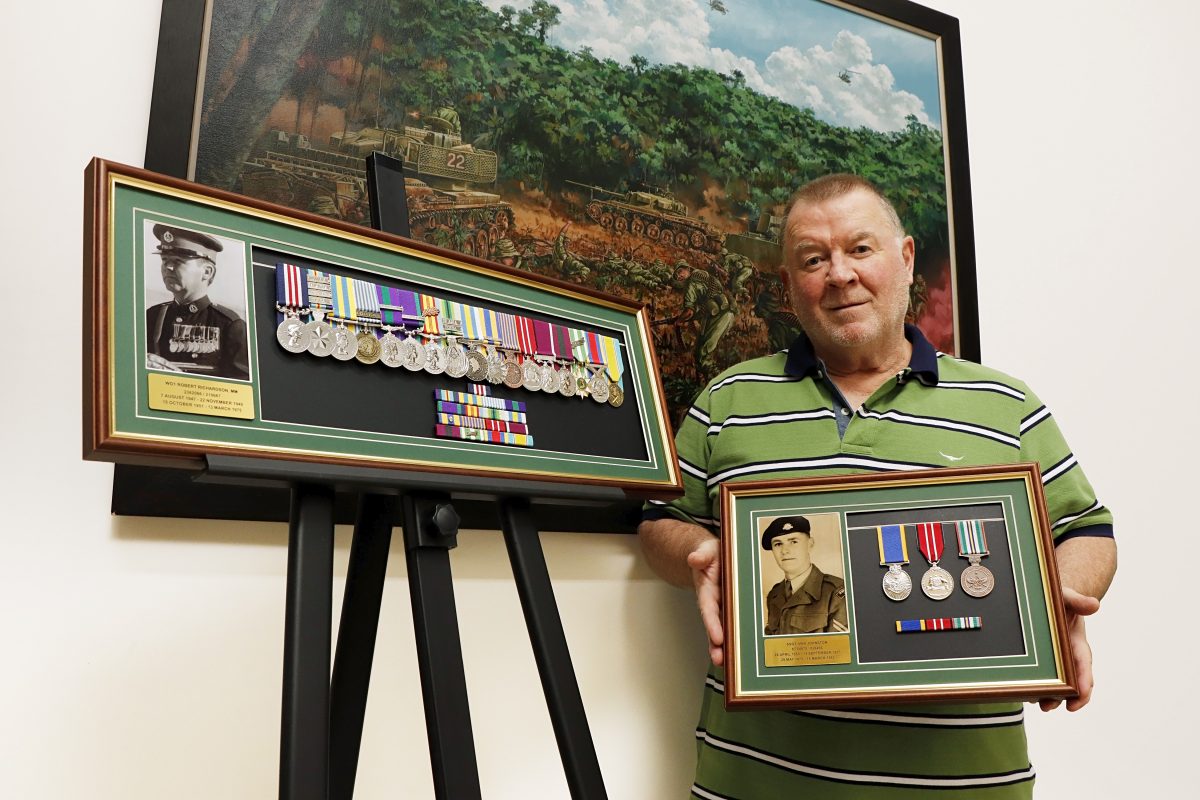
(357,639)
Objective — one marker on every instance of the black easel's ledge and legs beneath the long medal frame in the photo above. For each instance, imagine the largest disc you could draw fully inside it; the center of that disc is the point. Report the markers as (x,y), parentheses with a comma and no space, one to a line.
(322,720)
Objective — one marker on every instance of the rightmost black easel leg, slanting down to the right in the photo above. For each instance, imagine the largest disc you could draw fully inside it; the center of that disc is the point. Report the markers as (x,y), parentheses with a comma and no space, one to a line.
(554,658)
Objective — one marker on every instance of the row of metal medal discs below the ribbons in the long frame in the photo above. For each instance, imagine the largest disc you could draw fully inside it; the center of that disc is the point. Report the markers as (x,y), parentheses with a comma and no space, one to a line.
(453,358)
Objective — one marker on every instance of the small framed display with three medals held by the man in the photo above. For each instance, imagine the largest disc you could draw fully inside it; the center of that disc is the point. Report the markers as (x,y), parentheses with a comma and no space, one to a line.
(929,586)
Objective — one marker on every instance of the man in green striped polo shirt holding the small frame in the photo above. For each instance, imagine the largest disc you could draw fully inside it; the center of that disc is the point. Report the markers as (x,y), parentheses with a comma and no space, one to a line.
(861,392)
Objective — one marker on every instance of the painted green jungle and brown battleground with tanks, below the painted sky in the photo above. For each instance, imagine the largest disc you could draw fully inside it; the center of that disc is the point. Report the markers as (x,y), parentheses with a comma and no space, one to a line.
(659,182)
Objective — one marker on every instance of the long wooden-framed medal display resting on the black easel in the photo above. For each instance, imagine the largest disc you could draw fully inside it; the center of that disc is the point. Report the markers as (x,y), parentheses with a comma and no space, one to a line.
(225,326)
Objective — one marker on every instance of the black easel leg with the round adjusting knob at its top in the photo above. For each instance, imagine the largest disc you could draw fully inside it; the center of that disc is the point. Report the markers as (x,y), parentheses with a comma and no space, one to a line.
(440,653)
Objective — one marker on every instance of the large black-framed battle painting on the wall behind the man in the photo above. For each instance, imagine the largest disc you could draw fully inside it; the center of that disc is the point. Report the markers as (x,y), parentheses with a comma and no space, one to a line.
(646,151)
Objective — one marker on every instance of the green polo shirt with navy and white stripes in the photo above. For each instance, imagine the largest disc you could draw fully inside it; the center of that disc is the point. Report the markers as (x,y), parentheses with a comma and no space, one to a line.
(775,418)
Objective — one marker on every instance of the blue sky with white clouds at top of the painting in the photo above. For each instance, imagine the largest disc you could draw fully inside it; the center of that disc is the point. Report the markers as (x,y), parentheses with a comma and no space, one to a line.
(793,50)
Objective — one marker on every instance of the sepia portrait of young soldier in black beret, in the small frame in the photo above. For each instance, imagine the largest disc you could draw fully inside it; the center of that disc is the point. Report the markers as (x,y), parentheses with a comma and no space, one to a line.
(807,600)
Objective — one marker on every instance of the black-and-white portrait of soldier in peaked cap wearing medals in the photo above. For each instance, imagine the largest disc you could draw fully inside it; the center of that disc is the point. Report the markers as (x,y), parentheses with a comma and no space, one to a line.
(190,333)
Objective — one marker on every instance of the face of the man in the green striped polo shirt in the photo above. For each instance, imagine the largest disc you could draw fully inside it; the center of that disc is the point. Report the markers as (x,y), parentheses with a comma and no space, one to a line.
(848,273)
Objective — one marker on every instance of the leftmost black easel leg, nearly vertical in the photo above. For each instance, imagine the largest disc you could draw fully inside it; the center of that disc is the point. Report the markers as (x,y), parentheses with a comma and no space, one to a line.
(304,748)
